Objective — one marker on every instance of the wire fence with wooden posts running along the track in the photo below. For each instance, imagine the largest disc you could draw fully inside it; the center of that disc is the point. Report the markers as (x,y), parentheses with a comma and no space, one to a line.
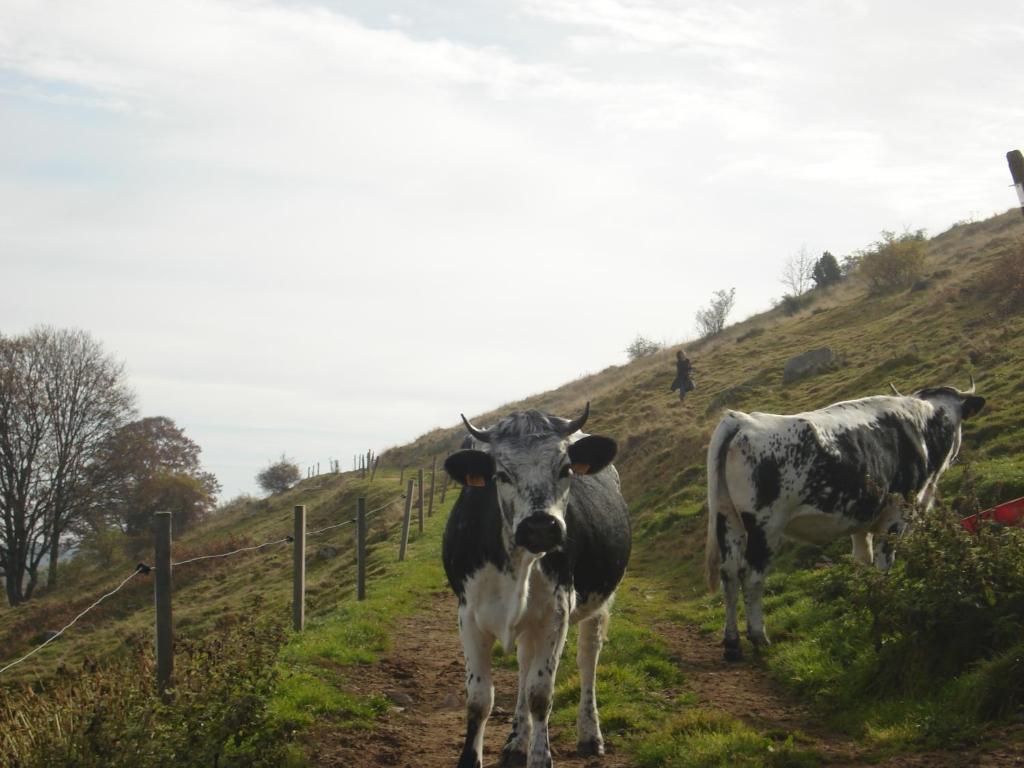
(362,519)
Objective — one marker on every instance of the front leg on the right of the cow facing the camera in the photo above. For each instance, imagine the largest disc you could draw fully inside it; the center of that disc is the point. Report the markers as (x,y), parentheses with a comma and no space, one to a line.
(547,643)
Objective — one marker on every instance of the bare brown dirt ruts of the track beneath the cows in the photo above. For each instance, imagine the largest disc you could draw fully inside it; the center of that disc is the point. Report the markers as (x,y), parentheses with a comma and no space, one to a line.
(423,677)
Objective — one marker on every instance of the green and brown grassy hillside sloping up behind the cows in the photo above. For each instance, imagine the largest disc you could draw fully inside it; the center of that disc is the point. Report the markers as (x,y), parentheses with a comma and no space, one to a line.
(963,320)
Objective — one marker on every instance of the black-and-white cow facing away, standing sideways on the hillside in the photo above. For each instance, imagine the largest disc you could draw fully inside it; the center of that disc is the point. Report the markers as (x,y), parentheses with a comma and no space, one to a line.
(815,477)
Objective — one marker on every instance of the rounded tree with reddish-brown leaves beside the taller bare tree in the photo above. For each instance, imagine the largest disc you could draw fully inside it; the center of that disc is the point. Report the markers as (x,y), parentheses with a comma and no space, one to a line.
(148,466)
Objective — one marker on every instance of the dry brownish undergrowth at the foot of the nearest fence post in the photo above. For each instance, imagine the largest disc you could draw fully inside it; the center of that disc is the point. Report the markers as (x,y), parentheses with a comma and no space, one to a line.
(216,716)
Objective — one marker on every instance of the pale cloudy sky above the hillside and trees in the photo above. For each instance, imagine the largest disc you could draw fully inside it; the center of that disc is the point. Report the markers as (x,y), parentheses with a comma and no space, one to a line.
(312,229)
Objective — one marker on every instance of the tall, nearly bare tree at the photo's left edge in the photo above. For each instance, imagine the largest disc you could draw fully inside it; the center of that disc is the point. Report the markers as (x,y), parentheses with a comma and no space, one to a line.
(61,396)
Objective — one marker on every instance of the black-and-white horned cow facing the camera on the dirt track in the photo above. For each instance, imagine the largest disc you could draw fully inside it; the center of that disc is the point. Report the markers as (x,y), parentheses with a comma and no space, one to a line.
(538,539)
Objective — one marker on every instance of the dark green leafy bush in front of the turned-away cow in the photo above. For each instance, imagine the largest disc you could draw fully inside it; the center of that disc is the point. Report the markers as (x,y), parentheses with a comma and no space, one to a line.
(942,629)
